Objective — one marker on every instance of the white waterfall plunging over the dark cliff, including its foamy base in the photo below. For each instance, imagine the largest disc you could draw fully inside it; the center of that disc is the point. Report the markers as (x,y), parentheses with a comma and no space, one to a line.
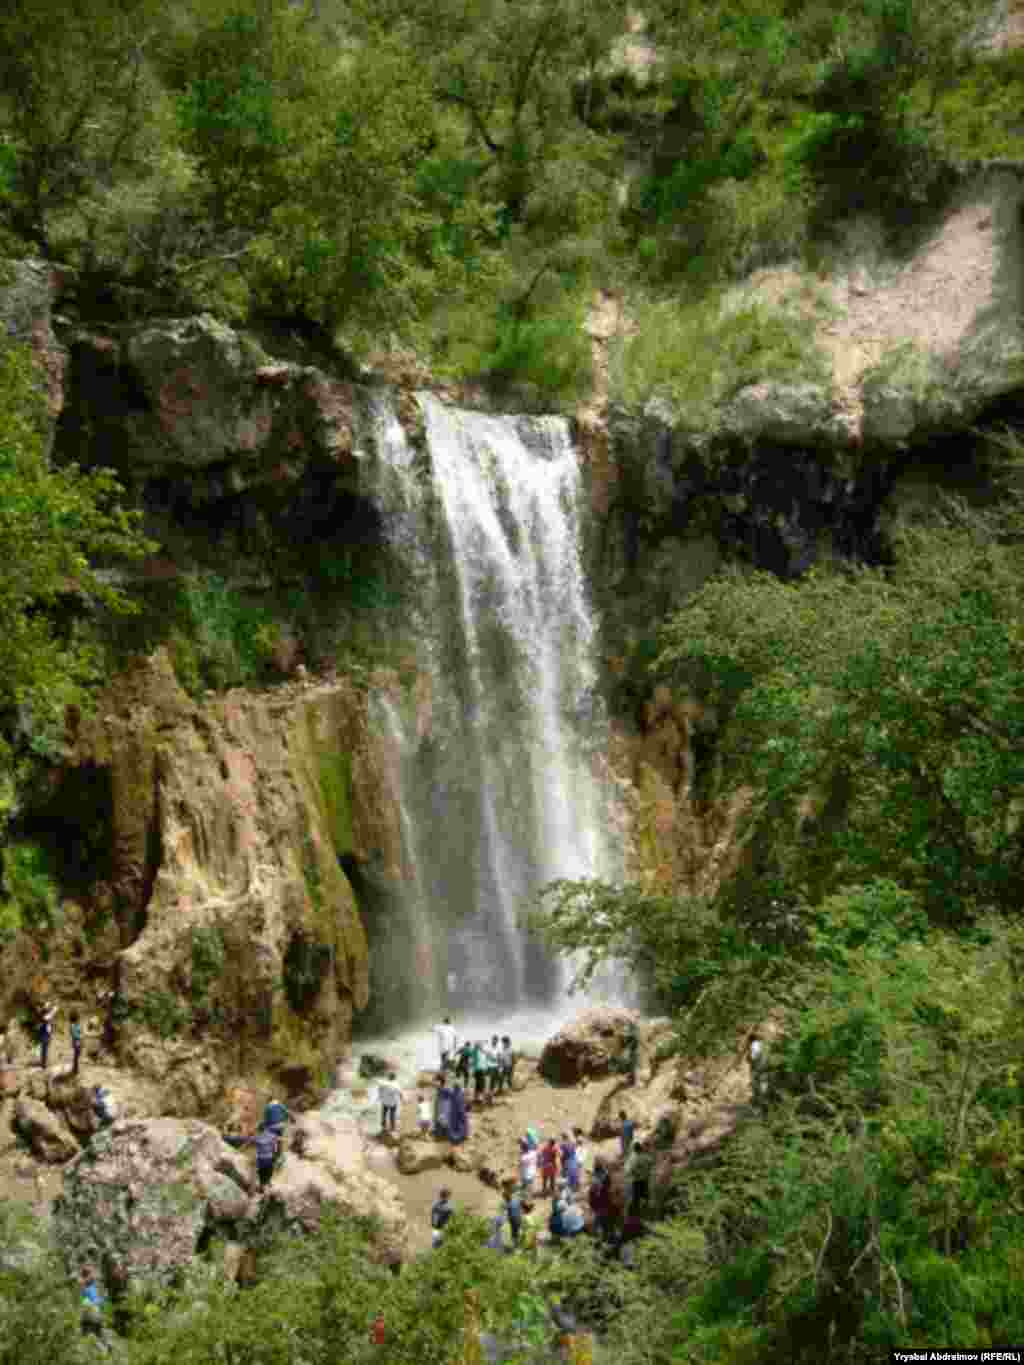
(498,760)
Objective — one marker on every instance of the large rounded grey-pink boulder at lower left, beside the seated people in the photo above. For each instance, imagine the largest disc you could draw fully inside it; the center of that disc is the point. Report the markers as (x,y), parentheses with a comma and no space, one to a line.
(145,1195)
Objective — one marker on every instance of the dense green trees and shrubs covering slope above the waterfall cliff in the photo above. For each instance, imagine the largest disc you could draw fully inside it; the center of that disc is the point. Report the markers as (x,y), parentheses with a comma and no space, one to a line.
(459,175)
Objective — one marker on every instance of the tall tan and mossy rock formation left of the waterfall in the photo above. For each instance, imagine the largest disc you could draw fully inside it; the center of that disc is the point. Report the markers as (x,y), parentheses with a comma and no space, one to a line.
(244,952)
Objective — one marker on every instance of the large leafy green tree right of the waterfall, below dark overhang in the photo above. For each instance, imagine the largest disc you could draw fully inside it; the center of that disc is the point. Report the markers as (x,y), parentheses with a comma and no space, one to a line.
(877,717)
